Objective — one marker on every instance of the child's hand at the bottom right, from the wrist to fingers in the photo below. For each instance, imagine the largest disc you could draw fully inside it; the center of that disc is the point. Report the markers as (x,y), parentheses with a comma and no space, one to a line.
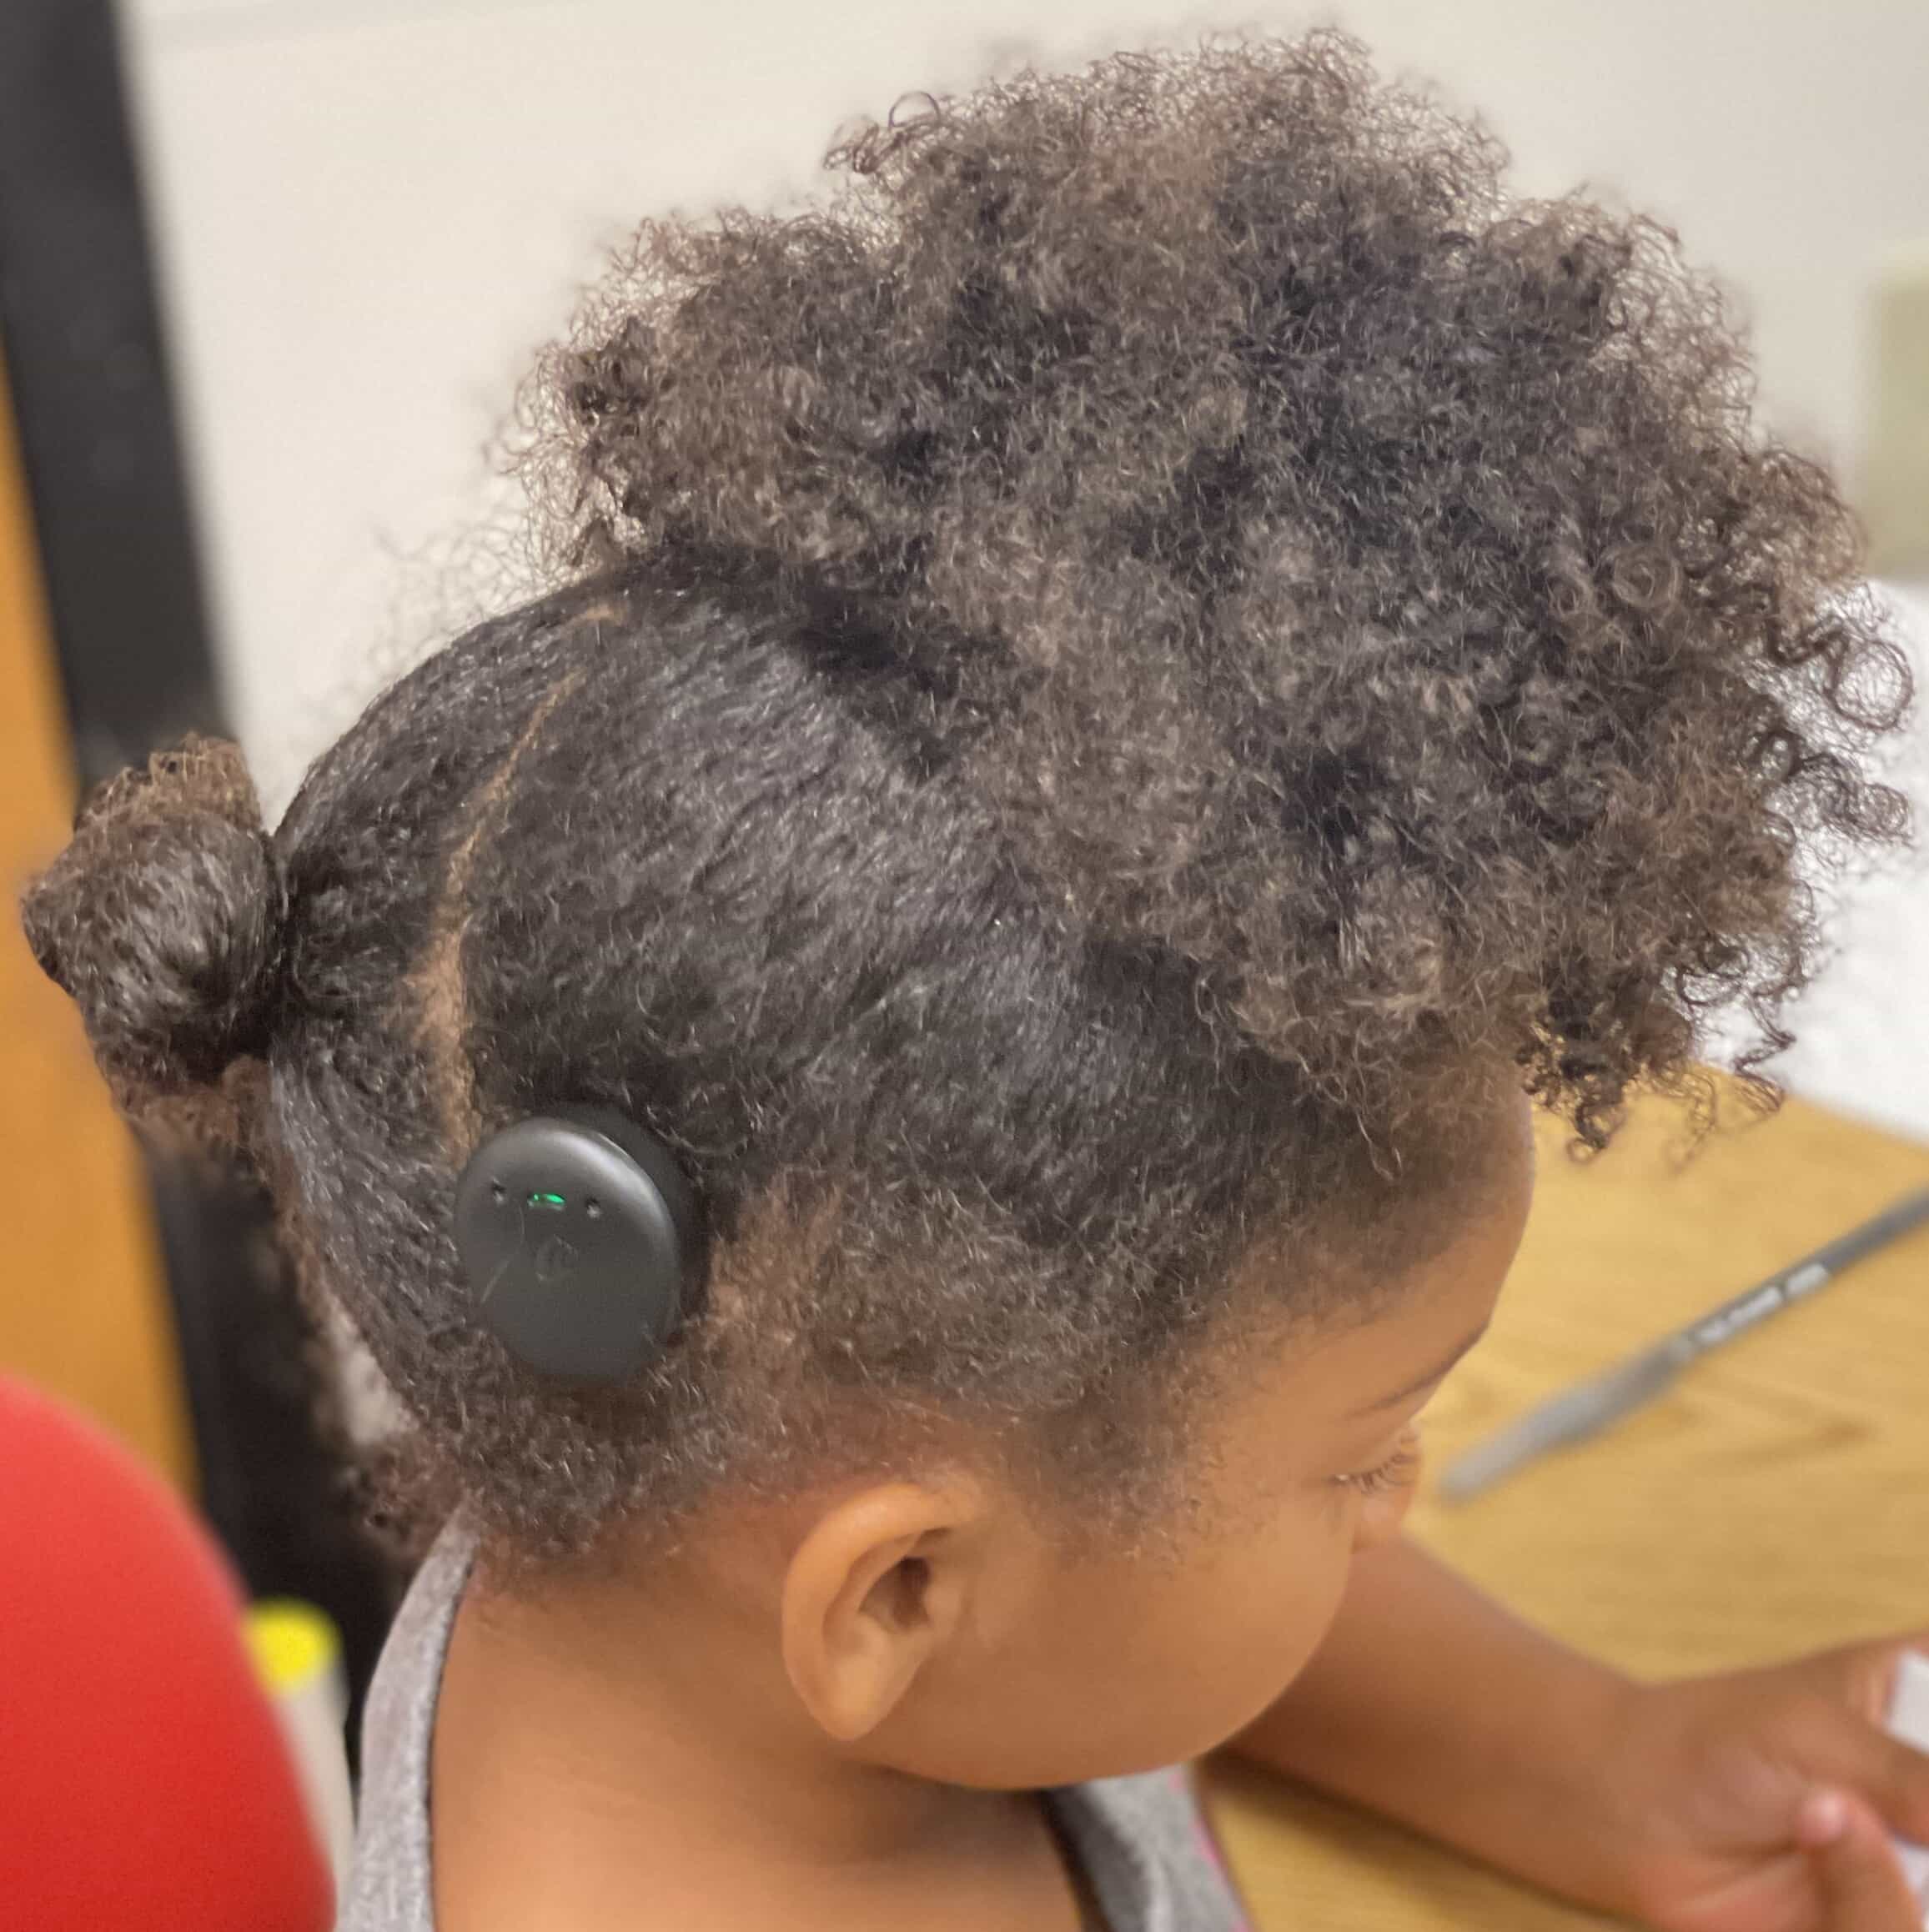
(1762,1802)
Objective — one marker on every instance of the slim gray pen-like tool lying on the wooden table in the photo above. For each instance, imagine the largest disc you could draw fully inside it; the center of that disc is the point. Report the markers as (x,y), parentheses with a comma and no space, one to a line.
(1590,1407)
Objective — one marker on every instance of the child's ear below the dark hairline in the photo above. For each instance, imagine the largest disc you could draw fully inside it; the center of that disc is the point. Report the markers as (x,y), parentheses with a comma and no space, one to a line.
(877,1591)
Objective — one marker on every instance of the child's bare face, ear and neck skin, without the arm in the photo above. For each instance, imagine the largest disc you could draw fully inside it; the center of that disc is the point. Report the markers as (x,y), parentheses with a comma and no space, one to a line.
(882,1678)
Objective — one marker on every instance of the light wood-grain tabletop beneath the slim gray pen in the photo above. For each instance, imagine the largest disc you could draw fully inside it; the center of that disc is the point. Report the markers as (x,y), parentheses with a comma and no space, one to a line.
(1777,1500)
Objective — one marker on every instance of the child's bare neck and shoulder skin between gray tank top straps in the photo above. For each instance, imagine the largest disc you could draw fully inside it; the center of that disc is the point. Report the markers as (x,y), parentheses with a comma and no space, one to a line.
(602,1761)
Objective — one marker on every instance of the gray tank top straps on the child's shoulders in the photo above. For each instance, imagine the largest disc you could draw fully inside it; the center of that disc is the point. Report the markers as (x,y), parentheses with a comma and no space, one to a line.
(1141,1840)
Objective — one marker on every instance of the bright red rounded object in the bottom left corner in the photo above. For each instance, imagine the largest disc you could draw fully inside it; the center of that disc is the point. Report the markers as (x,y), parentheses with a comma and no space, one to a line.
(144,1780)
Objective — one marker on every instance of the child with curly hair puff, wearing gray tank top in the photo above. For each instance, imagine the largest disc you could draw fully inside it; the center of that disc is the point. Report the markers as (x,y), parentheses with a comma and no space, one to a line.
(1122,702)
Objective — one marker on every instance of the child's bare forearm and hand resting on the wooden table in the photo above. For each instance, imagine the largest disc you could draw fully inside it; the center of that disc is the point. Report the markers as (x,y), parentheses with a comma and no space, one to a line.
(1698,1807)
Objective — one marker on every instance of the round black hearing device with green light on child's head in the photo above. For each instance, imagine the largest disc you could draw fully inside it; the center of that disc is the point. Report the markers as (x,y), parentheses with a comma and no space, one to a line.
(581,1241)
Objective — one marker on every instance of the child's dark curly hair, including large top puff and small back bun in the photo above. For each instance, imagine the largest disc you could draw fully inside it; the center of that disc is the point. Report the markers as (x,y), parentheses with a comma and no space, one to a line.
(1089,681)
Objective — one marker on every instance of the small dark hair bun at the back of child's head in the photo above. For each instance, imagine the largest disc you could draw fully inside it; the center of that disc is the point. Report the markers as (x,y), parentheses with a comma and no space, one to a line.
(165,921)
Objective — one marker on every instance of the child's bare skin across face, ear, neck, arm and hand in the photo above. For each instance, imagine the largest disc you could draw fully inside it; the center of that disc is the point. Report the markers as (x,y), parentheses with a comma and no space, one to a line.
(840,1711)
